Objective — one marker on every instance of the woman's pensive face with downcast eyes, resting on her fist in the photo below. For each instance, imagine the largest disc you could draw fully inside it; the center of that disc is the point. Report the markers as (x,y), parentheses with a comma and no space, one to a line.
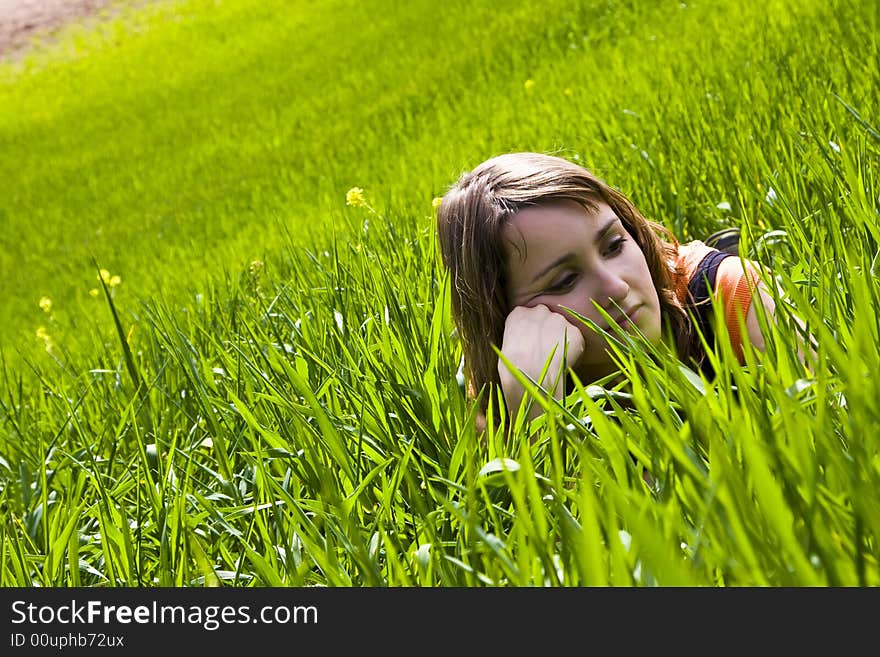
(565,255)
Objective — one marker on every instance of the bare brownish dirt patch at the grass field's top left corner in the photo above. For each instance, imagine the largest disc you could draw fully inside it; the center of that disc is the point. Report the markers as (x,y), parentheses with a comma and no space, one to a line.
(21,21)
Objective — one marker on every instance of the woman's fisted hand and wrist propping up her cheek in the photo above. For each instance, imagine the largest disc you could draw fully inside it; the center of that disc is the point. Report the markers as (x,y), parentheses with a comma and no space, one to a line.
(530,334)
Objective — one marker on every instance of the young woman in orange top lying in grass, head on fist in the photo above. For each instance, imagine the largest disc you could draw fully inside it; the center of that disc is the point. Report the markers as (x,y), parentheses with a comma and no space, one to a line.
(529,237)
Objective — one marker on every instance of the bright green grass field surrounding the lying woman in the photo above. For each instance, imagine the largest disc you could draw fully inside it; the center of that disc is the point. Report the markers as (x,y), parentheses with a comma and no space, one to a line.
(268,393)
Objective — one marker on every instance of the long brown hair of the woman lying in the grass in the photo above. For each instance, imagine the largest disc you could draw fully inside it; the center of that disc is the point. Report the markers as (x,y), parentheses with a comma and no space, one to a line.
(470,221)
